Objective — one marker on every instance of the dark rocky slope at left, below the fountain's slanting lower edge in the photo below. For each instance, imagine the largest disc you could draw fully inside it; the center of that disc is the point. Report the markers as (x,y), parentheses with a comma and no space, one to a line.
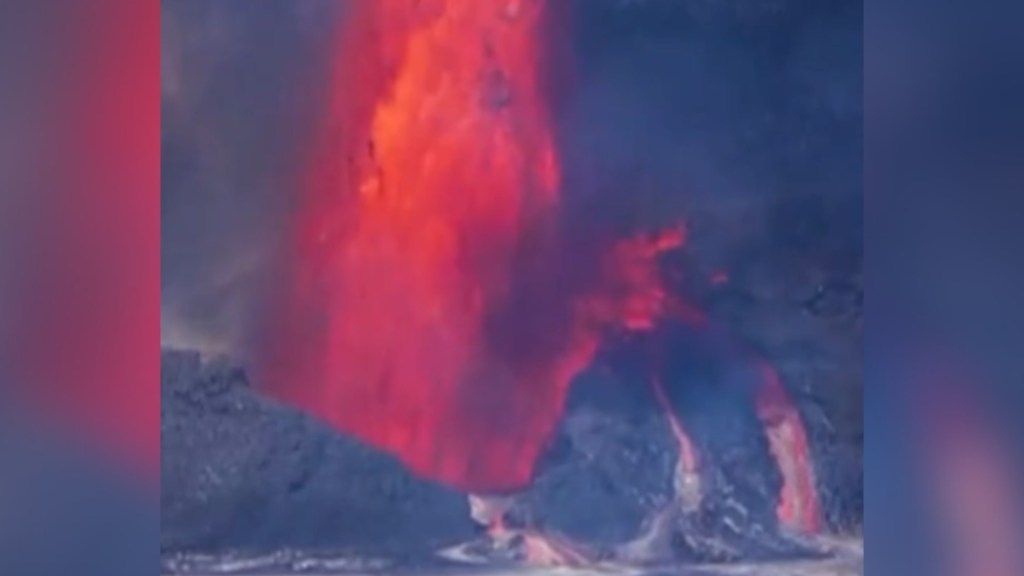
(240,472)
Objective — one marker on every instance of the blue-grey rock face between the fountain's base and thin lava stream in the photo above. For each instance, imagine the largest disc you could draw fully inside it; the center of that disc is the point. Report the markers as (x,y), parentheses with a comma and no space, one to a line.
(611,468)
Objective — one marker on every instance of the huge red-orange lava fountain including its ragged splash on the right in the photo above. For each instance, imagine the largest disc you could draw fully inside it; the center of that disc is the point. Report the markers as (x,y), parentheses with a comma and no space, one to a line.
(440,311)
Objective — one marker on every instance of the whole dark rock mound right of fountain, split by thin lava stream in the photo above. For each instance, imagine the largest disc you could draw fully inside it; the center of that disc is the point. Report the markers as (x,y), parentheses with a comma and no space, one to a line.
(610,478)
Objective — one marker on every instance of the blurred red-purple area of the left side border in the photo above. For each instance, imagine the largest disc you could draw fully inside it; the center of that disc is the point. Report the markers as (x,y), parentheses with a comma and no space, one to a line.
(86,355)
